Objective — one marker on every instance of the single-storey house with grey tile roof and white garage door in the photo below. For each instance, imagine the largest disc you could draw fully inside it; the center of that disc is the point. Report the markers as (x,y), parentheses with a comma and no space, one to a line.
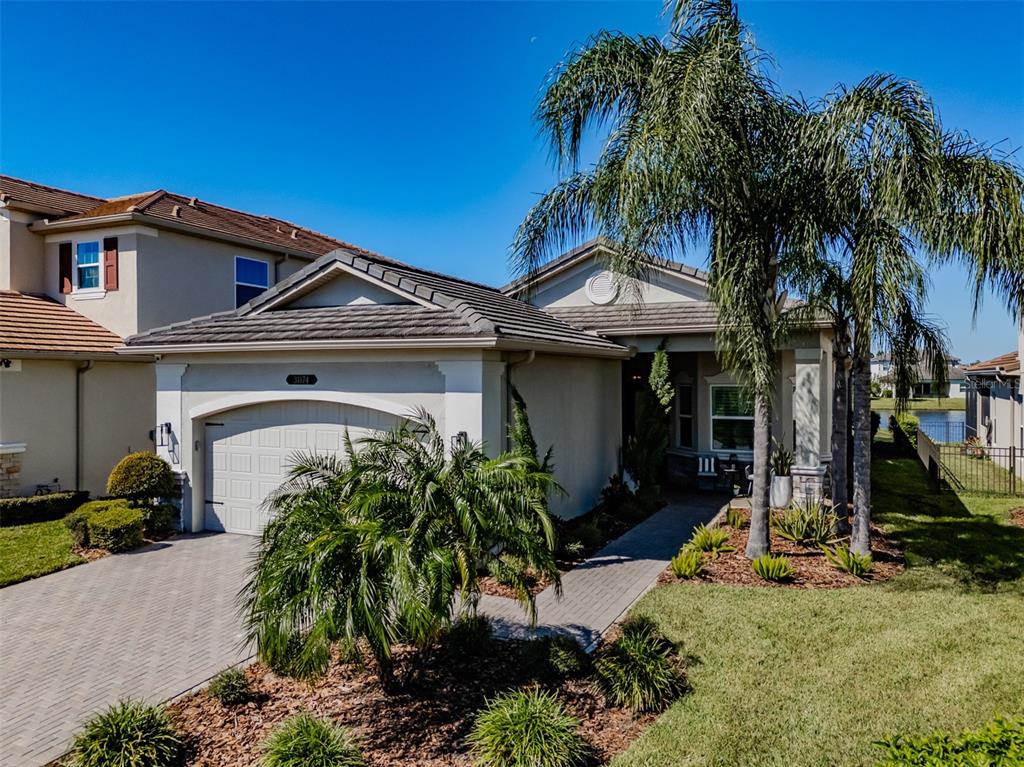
(355,342)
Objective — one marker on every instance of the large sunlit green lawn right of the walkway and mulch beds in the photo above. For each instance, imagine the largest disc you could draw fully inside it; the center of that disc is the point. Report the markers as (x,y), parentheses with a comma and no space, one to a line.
(787,677)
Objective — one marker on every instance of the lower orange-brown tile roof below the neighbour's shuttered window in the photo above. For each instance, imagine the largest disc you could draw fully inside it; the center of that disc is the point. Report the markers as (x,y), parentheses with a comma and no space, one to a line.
(40,325)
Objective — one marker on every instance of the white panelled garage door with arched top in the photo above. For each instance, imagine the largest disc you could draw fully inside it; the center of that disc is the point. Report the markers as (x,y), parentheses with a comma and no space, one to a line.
(249,452)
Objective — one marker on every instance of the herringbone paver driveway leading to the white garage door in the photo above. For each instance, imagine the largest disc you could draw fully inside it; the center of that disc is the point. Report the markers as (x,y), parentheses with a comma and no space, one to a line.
(150,624)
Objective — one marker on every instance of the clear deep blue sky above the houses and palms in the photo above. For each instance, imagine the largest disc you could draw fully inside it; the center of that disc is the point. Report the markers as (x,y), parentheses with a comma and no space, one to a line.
(407,129)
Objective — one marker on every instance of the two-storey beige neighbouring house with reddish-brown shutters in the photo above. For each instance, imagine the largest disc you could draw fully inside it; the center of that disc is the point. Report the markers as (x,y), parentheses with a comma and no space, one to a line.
(79,274)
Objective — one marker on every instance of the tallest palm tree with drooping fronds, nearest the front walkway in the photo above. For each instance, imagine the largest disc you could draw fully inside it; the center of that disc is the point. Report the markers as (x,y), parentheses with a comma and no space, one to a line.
(700,146)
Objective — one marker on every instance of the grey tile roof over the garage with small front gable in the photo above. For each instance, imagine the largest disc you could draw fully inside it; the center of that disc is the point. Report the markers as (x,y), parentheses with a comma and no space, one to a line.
(441,307)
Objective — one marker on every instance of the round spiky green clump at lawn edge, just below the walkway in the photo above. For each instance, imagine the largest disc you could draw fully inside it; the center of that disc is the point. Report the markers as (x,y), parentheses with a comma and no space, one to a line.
(639,670)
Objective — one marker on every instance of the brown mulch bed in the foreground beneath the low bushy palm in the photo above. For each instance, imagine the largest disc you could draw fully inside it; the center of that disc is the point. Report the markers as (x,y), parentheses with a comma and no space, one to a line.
(423,723)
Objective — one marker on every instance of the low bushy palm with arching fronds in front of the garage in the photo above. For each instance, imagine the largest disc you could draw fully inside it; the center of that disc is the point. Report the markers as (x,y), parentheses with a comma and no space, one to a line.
(386,545)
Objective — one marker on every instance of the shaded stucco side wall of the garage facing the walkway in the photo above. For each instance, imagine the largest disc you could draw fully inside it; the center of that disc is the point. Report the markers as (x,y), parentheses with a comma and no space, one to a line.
(575,407)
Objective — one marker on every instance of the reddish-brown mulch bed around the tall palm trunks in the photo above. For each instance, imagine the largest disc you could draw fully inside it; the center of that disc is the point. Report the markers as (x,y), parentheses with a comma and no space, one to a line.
(814,570)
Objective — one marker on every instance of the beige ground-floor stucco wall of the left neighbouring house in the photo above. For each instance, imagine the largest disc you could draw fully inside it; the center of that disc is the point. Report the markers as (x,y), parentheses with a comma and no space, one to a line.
(37,407)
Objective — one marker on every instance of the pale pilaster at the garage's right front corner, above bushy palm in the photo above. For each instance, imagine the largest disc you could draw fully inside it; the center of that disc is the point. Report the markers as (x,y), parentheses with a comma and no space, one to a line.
(474,397)
